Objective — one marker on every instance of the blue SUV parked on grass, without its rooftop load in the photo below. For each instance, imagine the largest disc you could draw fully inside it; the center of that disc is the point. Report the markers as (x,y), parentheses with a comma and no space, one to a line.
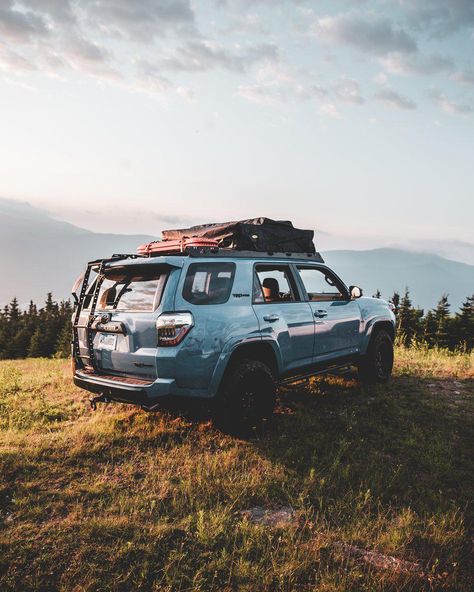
(223,326)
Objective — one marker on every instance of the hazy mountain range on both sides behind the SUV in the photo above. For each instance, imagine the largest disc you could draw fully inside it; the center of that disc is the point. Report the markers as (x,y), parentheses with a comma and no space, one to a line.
(40,254)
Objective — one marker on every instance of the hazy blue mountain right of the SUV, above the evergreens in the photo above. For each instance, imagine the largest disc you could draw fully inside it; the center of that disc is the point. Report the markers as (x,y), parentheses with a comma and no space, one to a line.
(427,276)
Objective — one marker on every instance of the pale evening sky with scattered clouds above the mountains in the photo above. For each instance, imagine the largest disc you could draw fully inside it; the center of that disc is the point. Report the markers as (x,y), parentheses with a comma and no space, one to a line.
(352,117)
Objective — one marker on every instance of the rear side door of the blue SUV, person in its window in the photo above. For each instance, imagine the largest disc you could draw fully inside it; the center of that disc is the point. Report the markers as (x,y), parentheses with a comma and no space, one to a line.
(283,315)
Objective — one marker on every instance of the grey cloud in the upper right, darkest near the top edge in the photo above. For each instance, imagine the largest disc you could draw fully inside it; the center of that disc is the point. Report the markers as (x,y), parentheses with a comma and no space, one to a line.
(375,36)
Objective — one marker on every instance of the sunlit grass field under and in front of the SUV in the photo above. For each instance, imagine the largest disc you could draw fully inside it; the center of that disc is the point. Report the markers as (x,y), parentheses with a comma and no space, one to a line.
(376,486)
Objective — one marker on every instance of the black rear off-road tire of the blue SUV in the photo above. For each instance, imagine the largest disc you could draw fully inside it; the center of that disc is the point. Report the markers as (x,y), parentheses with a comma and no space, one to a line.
(247,397)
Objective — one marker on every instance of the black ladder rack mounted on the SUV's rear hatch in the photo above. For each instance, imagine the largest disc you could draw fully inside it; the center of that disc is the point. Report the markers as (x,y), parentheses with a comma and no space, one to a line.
(76,354)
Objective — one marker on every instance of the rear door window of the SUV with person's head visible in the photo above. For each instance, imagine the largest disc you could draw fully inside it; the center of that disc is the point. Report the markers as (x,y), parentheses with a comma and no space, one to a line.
(274,283)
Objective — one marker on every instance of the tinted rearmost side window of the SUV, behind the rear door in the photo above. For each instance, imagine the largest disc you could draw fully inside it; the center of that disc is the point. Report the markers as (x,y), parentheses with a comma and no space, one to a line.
(208,283)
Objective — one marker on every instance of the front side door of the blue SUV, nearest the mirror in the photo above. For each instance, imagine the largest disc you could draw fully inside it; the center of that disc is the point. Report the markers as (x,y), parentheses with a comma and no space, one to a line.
(337,317)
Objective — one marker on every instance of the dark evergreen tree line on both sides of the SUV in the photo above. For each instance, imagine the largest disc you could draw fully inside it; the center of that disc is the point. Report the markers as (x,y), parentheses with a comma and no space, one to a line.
(46,331)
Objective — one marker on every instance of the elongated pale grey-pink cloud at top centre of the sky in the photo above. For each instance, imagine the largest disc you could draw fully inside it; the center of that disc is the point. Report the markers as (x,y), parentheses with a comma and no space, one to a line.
(198,56)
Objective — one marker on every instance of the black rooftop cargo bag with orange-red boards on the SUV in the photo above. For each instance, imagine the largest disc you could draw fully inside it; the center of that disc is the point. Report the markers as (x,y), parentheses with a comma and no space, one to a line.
(257,234)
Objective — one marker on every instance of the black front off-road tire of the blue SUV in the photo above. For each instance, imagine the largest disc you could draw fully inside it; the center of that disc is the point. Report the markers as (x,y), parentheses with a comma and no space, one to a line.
(377,364)
